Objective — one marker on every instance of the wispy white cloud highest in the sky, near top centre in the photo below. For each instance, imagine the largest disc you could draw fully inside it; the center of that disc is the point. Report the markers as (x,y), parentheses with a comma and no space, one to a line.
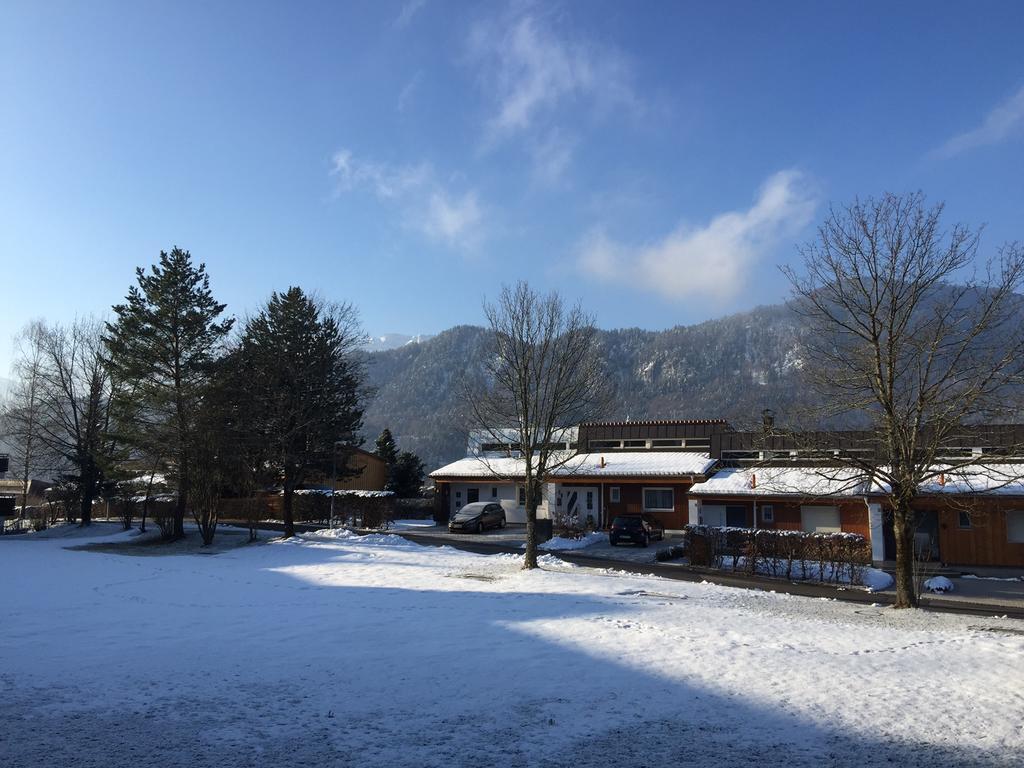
(530,71)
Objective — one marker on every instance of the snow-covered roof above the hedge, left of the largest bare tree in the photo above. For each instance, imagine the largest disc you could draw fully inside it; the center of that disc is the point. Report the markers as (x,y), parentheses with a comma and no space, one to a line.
(805,482)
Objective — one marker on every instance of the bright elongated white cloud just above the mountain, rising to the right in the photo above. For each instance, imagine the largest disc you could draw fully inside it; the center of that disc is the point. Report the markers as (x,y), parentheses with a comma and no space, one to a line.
(712,261)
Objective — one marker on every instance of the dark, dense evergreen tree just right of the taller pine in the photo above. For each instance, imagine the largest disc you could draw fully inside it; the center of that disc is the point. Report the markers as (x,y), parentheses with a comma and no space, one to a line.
(305,386)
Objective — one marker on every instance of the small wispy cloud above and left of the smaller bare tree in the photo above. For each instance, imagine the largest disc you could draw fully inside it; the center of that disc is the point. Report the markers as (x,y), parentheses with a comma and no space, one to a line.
(425,204)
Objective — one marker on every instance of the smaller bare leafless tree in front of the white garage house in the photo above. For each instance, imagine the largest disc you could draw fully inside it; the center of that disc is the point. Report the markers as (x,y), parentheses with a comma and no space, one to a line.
(543,375)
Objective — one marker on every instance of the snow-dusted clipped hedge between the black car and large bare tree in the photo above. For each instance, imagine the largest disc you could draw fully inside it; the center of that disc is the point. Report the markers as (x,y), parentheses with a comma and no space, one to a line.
(838,559)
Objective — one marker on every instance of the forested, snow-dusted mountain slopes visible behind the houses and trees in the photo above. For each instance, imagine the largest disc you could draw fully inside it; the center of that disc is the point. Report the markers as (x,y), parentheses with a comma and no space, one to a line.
(731,368)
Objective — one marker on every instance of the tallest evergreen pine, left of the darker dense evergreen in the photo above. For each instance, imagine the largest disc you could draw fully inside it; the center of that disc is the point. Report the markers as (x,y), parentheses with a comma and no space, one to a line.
(164,339)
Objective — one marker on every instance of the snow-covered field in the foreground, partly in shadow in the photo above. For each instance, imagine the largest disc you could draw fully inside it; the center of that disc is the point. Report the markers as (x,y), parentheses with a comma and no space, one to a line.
(332,651)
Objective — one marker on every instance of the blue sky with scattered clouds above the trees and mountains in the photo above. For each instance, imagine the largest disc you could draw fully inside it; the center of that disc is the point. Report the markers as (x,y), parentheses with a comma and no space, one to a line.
(658,161)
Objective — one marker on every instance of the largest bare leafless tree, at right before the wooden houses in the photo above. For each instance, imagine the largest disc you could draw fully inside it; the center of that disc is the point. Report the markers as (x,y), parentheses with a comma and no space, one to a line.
(910,334)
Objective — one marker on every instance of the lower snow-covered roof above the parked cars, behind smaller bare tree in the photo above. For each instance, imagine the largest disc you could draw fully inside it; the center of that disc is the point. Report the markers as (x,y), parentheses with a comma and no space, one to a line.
(634,464)
